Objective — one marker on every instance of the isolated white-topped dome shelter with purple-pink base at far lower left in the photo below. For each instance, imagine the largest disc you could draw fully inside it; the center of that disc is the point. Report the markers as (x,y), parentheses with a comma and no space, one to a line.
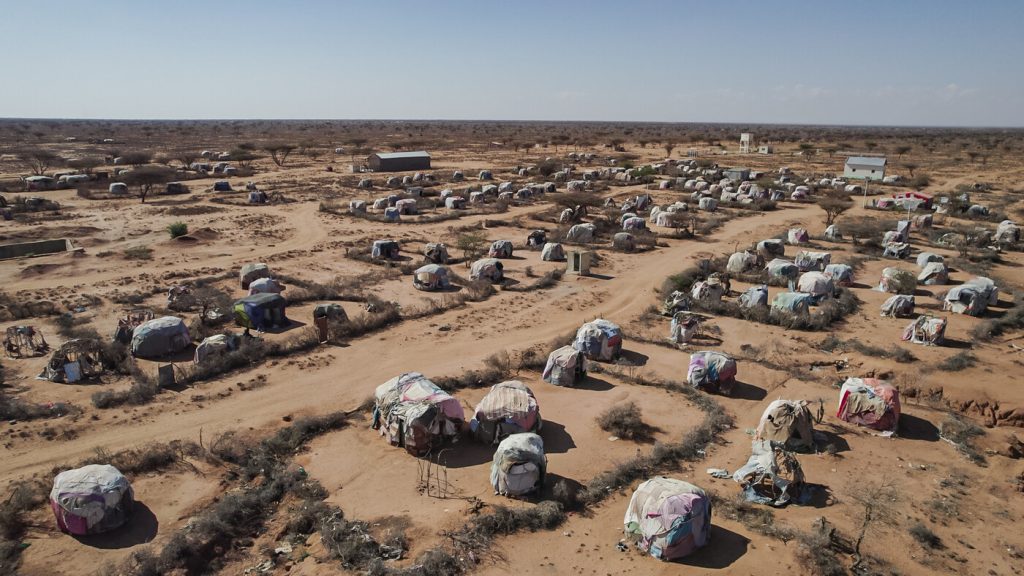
(92,500)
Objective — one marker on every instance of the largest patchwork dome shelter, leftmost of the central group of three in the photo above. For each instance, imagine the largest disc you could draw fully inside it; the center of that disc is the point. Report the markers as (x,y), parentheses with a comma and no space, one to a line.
(411,412)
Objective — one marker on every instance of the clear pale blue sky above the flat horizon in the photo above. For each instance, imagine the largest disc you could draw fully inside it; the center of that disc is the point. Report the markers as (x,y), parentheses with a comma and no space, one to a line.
(814,62)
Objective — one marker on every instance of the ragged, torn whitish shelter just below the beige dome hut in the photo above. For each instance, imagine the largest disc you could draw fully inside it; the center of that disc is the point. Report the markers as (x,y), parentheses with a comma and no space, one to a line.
(773,476)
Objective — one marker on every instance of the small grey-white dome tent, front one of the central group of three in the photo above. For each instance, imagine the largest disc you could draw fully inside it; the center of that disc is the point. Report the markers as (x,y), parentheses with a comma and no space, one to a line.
(520,466)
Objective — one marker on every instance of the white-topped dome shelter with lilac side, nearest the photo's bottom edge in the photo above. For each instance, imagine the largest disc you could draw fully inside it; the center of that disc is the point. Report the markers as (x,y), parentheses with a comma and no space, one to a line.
(668,519)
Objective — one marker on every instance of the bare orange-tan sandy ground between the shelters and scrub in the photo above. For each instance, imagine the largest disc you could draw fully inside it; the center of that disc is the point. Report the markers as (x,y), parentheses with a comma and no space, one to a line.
(374,482)
